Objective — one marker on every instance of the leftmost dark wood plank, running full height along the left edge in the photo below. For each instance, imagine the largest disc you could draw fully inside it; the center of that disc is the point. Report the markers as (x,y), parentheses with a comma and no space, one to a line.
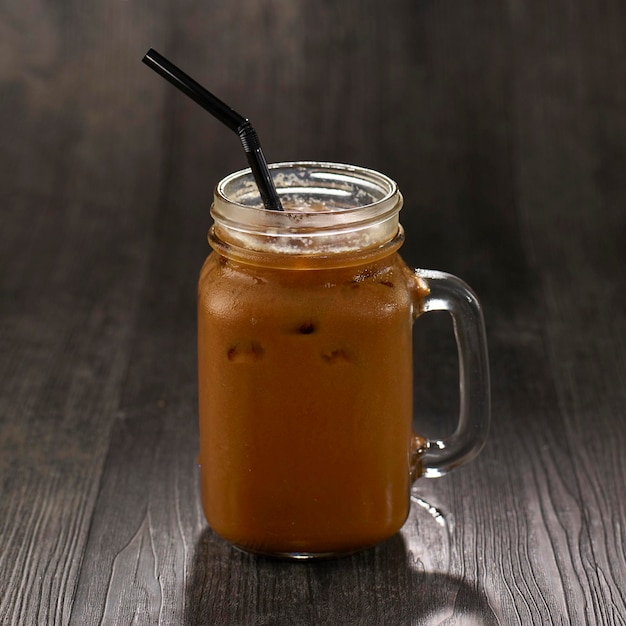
(76,206)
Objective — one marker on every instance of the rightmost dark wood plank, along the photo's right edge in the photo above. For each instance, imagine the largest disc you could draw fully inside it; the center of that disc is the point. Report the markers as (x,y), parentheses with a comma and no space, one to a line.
(573,141)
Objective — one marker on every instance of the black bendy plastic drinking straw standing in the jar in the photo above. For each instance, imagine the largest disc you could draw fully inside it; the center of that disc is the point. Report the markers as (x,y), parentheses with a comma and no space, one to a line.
(227,116)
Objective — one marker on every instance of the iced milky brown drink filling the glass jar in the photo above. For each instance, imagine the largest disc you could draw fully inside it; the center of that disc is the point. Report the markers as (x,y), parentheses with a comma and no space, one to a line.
(305,372)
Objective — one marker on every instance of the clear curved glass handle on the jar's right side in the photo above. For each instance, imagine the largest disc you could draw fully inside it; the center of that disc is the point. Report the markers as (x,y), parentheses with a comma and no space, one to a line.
(445,292)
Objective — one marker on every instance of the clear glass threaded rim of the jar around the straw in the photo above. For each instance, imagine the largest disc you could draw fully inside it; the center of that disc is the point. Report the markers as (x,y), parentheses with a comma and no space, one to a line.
(328,207)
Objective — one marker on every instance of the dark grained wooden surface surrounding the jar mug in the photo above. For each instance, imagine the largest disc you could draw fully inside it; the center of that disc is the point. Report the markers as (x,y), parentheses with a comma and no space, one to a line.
(504,124)
